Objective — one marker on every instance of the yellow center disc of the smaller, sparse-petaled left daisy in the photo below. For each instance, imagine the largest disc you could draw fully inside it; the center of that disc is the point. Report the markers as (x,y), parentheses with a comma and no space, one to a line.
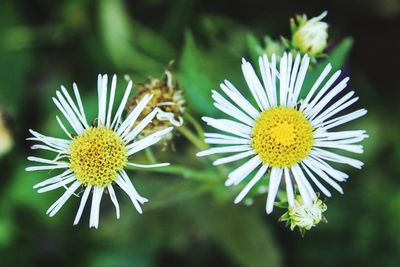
(97,155)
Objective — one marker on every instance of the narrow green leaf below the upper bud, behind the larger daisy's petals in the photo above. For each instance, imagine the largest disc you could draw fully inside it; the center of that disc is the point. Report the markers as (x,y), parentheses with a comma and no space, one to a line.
(337,58)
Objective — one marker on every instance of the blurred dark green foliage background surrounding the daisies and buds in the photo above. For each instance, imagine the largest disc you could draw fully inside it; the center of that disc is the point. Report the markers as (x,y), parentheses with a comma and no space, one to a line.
(44,44)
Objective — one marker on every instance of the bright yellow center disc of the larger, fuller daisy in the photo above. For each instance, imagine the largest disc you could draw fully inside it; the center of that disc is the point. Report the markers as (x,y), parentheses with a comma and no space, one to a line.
(282,137)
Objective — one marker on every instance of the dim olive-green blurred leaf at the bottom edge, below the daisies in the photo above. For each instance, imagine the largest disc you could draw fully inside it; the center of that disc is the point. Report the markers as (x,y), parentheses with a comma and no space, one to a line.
(242,234)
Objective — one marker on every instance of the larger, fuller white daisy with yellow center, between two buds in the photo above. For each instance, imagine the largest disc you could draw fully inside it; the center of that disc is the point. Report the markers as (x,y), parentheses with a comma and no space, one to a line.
(284,135)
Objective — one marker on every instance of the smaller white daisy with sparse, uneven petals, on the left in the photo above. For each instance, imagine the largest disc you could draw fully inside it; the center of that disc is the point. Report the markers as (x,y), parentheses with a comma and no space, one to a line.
(93,159)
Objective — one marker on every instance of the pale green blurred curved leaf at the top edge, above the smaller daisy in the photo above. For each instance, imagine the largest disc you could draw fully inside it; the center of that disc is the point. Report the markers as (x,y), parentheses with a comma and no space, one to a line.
(129,44)
